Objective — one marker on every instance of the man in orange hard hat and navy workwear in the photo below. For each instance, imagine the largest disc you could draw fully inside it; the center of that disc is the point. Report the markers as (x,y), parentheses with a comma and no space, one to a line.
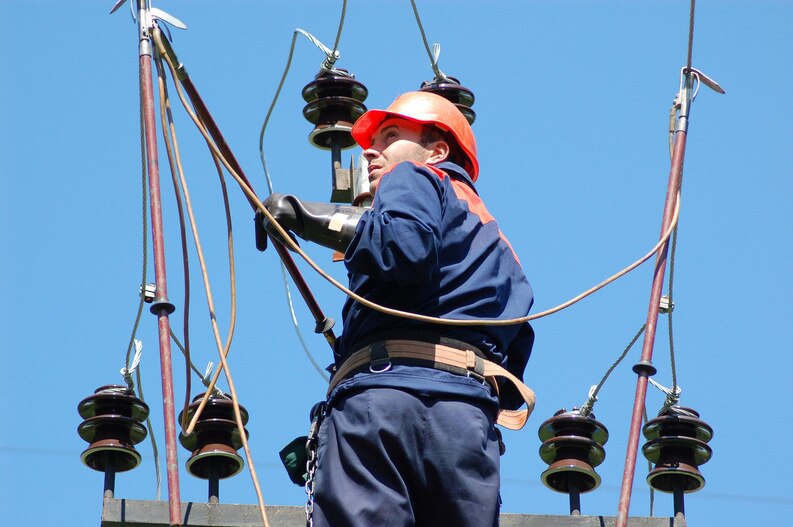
(407,440)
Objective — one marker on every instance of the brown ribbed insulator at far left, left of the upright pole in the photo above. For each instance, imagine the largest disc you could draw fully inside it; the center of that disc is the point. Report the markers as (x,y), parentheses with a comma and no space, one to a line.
(112,427)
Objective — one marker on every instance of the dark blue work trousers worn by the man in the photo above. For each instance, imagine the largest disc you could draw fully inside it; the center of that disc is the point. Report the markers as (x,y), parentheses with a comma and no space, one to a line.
(388,457)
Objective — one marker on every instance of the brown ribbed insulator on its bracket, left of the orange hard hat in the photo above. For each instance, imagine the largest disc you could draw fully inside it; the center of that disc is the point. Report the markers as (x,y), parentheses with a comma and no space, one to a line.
(335,102)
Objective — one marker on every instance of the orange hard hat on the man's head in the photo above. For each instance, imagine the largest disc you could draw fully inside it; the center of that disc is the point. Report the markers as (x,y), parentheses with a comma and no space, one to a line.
(425,108)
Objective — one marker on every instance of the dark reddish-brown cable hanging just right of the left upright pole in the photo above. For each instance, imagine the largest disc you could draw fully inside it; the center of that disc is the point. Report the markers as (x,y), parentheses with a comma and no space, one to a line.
(169,138)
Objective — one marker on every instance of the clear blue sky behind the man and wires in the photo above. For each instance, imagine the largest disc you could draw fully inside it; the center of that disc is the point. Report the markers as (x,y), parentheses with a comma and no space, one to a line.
(572,105)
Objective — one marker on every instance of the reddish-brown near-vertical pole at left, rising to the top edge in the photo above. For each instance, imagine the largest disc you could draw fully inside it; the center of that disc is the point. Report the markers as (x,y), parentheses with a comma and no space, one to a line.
(161,307)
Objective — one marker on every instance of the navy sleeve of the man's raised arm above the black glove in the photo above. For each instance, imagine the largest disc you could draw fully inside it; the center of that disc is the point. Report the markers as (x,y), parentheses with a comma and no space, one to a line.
(398,239)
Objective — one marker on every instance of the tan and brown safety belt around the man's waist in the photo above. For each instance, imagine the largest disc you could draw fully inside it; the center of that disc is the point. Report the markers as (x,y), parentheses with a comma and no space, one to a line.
(439,354)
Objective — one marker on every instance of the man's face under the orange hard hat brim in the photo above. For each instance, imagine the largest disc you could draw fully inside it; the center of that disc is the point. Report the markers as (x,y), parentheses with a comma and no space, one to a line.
(395,141)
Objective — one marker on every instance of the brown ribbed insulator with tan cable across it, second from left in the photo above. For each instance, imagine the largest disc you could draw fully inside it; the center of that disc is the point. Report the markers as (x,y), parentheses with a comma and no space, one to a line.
(214,441)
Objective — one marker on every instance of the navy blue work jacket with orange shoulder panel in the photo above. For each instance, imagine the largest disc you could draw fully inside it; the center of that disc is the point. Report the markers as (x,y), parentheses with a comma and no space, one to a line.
(429,246)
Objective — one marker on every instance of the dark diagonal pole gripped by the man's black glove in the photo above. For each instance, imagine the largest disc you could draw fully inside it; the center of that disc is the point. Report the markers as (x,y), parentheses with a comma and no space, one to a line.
(324,324)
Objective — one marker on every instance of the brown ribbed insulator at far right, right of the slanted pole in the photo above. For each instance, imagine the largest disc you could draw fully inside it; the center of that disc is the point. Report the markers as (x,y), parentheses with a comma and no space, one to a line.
(678,444)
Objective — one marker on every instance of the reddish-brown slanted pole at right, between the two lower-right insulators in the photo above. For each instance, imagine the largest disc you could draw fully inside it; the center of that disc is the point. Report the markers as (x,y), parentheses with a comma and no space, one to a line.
(644,368)
